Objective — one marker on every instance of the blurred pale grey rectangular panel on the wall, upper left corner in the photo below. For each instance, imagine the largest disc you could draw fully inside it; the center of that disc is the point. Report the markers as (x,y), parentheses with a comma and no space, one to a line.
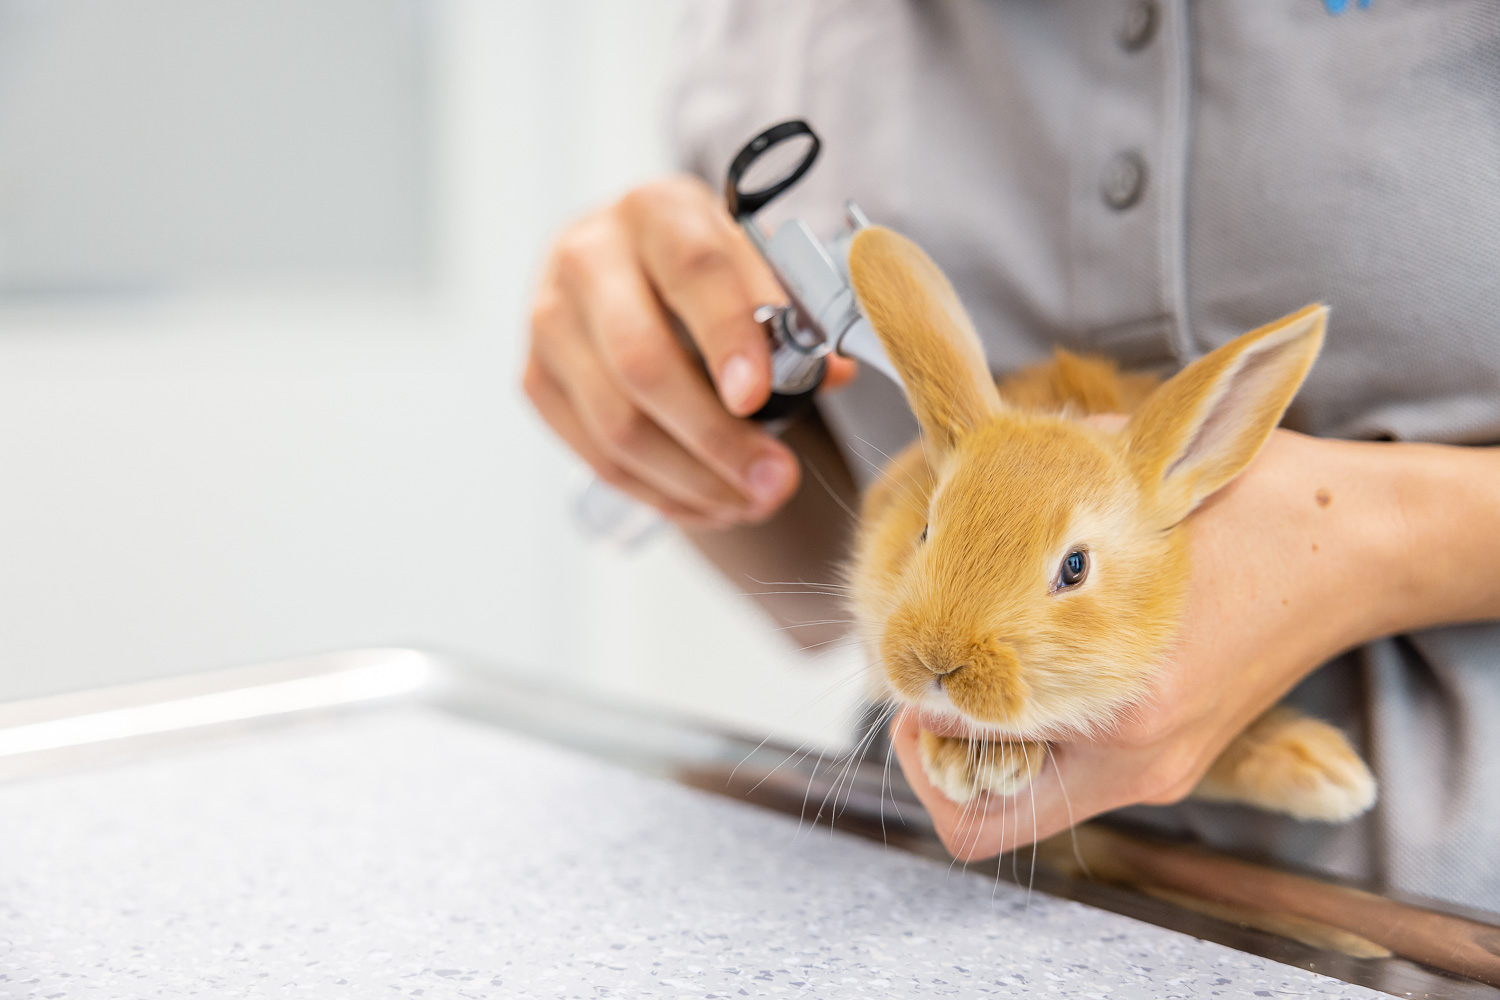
(151,143)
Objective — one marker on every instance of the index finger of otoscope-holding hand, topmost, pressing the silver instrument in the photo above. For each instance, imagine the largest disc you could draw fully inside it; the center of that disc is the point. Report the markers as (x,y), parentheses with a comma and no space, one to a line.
(712,280)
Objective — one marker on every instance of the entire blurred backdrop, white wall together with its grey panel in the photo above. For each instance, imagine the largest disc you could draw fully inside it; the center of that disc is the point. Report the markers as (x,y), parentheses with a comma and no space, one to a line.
(265,272)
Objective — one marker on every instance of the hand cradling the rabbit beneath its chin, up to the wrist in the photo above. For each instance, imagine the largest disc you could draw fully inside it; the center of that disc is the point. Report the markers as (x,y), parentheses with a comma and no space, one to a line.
(1285,575)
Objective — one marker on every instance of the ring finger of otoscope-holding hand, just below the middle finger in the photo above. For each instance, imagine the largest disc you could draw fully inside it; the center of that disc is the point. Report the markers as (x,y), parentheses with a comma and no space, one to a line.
(626,436)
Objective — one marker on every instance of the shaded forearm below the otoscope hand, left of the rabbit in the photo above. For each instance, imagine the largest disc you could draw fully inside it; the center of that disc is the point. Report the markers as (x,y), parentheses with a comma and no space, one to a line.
(791,564)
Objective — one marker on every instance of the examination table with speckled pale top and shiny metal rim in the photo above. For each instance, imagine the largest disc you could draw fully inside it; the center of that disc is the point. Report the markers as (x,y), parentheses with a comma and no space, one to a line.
(394,822)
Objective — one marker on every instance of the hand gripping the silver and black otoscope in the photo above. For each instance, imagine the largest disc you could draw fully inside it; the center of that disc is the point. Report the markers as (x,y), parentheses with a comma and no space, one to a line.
(610,376)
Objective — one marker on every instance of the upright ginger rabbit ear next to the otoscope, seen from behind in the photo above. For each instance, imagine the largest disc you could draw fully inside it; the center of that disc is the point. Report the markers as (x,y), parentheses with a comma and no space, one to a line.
(926,334)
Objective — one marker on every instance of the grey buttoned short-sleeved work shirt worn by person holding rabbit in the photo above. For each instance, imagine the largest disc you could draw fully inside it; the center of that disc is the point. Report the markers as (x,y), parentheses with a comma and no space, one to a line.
(1148,179)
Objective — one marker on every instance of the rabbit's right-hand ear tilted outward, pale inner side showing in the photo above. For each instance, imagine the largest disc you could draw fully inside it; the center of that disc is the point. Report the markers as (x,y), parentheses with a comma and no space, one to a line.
(1205,425)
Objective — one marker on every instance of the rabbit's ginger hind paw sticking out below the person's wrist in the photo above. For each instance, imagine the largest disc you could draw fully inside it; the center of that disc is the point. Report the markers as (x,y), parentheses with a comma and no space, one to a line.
(1292,764)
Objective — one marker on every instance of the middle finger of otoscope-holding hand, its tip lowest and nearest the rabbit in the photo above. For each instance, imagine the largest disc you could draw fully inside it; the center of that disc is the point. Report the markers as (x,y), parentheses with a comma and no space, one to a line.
(631,332)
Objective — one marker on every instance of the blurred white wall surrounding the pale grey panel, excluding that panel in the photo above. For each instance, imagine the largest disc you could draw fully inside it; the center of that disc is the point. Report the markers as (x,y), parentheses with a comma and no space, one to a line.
(206,479)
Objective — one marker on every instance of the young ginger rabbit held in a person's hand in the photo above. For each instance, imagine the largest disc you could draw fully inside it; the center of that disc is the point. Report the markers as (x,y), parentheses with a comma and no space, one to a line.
(1027,570)
